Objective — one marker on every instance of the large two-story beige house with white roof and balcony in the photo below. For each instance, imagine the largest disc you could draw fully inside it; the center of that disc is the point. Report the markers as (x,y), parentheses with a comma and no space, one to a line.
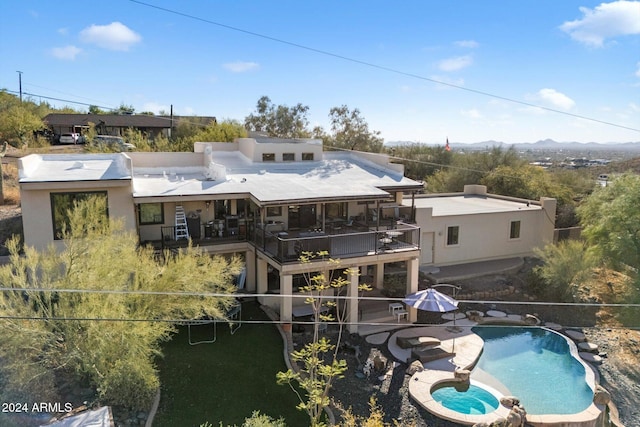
(264,199)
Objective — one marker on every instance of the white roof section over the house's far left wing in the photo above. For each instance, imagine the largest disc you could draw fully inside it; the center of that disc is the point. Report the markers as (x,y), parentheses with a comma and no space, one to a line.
(73,167)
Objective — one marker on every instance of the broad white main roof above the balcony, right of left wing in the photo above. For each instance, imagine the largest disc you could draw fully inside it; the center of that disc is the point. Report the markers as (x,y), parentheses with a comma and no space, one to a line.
(337,176)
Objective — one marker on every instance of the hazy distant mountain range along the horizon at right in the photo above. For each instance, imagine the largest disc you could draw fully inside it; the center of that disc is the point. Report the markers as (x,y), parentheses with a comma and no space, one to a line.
(546,144)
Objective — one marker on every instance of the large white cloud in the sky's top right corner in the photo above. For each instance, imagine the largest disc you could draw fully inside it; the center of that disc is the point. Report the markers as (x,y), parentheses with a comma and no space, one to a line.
(605,21)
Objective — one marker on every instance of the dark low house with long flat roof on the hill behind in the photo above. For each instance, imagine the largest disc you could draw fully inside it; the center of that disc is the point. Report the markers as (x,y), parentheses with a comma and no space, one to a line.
(116,124)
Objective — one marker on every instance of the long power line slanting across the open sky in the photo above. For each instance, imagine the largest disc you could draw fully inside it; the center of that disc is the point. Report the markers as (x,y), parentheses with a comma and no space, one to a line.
(377,66)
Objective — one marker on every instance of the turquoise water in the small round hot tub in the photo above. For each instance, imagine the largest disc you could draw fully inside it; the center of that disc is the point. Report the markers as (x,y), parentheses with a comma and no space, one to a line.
(473,401)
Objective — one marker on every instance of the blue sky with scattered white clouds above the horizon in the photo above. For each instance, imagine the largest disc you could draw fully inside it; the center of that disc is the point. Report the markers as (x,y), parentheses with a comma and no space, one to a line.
(417,70)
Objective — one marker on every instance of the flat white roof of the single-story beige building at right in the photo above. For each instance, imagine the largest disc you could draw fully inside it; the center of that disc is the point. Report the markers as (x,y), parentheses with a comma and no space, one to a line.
(469,205)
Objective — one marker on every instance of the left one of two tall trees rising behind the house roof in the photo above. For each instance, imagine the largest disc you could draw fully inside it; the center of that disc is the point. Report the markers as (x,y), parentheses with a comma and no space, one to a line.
(279,121)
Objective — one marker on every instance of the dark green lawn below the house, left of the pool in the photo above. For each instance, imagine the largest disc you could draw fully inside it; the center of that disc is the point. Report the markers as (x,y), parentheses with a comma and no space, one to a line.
(227,380)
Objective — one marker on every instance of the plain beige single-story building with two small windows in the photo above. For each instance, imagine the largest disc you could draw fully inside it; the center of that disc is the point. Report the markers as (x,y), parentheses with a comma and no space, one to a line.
(475,226)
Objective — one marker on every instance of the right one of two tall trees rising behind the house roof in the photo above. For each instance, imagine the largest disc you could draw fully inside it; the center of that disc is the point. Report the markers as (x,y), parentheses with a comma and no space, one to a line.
(351,131)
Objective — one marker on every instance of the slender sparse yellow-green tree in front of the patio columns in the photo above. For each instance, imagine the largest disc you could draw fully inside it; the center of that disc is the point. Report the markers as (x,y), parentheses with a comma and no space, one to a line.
(319,358)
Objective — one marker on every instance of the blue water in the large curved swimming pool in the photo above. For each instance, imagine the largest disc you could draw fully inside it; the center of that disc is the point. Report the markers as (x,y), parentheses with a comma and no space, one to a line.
(536,366)
